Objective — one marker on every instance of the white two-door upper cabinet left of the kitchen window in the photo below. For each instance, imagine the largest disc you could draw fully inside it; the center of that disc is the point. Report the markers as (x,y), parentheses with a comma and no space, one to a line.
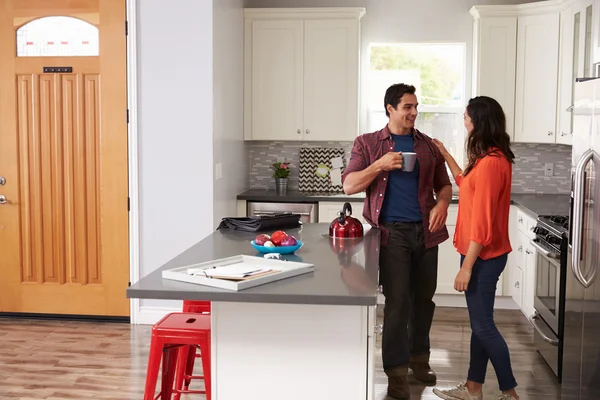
(302,74)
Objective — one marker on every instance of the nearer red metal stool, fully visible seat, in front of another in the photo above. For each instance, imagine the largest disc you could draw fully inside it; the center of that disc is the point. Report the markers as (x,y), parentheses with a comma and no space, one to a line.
(171,336)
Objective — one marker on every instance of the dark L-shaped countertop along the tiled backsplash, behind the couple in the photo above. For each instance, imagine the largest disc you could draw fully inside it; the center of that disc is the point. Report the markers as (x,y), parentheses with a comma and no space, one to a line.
(535,204)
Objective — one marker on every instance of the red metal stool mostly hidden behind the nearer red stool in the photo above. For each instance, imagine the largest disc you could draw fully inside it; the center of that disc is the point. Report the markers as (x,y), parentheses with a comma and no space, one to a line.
(186,358)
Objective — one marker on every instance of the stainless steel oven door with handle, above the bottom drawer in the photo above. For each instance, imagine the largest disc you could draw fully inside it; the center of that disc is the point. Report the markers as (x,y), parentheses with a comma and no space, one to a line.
(547,286)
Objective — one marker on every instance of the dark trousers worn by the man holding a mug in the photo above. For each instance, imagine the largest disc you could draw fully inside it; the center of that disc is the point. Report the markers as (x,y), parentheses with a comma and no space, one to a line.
(408,274)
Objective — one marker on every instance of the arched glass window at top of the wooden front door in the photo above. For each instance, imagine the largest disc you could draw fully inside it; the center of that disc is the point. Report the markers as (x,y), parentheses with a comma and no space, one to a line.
(56,37)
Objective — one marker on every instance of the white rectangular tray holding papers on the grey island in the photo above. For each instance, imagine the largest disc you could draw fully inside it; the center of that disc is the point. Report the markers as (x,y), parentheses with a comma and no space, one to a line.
(286,269)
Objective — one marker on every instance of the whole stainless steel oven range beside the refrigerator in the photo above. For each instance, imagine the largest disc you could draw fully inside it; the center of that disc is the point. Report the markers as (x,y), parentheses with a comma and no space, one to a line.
(551,244)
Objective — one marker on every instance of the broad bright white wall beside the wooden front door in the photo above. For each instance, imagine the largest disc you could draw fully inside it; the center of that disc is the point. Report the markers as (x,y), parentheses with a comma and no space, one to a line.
(175,92)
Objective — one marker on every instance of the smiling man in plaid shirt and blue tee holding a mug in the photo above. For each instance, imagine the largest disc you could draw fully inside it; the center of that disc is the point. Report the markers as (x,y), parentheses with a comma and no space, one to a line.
(413,224)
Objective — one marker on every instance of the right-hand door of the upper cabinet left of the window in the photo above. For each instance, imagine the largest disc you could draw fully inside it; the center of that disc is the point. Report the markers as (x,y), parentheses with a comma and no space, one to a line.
(331,80)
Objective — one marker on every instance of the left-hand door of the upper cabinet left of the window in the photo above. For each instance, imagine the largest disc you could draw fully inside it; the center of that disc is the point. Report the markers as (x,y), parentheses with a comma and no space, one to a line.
(276,64)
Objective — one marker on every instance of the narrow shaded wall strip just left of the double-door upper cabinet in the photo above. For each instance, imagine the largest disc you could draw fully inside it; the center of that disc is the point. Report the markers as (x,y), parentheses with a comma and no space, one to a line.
(228,73)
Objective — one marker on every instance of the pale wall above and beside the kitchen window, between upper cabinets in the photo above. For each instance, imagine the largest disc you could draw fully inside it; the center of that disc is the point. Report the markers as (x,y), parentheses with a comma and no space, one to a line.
(404,21)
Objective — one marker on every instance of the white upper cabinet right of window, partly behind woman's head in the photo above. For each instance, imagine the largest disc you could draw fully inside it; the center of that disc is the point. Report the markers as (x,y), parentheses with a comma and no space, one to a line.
(494,60)
